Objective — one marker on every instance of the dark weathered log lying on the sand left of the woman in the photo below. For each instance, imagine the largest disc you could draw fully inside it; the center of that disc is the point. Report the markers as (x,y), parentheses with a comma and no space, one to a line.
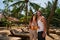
(24,36)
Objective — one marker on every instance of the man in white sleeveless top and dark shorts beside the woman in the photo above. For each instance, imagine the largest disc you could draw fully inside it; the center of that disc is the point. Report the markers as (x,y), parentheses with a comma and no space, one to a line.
(41,21)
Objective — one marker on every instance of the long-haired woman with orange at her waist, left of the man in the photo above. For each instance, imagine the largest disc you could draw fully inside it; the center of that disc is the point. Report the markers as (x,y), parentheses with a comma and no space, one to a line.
(33,28)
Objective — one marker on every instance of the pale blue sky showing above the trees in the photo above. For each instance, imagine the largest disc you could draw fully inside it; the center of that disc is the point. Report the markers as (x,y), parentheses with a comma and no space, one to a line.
(40,2)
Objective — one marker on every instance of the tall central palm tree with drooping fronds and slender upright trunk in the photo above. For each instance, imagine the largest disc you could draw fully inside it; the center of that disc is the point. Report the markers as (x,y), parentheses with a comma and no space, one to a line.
(23,5)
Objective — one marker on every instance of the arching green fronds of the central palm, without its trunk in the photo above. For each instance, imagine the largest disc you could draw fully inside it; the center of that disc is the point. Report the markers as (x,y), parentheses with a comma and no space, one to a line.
(22,4)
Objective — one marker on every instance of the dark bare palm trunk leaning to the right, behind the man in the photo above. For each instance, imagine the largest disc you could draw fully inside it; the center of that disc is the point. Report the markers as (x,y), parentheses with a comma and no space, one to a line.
(51,15)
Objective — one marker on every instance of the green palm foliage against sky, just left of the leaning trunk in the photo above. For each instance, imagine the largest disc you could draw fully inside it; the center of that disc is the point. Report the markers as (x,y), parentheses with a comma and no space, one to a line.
(46,11)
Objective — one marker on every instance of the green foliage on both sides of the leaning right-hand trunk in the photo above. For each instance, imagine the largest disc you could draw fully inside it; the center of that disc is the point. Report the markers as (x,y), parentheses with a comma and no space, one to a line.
(56,17)
